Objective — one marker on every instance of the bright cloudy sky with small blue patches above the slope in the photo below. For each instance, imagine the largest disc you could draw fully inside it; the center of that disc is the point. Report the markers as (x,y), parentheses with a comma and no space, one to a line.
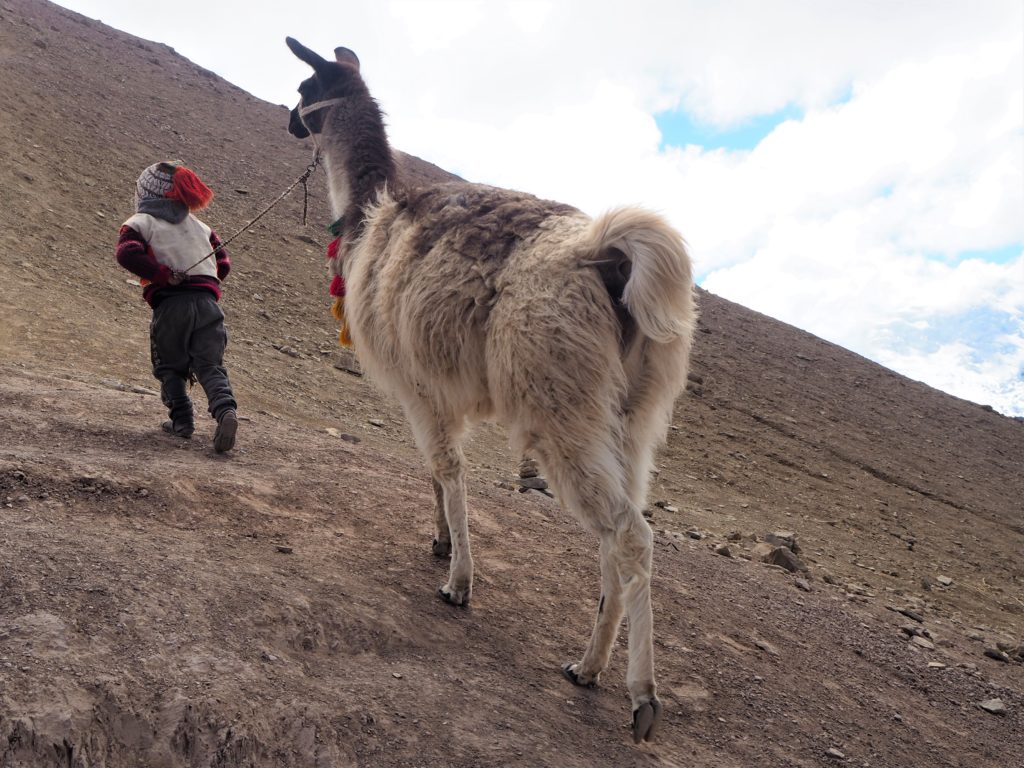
(855,168)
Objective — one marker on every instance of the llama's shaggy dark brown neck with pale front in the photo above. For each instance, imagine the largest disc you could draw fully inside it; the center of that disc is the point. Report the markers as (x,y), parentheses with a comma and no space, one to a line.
(358,160)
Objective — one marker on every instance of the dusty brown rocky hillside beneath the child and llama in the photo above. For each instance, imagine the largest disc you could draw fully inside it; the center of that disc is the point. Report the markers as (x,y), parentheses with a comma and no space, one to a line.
(162,606)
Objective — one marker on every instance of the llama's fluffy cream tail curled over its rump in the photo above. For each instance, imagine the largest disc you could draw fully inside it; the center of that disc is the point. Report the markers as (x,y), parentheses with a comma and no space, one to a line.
(652,259)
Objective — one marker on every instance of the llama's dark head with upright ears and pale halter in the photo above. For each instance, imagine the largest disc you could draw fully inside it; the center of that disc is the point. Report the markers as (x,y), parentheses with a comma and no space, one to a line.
(331,81)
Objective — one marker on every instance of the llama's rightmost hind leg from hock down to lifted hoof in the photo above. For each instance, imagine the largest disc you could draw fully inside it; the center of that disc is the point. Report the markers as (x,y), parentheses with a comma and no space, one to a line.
(633,554)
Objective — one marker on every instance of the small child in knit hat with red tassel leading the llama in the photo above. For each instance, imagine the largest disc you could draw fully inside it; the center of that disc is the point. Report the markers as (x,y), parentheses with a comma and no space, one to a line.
(161,244)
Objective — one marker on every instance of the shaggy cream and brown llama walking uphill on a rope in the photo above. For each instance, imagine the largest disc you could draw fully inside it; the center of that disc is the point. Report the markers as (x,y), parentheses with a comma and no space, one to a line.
(468,303)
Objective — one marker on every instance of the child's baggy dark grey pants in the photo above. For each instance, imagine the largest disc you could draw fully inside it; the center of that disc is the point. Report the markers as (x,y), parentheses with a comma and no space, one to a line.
(188,334)
